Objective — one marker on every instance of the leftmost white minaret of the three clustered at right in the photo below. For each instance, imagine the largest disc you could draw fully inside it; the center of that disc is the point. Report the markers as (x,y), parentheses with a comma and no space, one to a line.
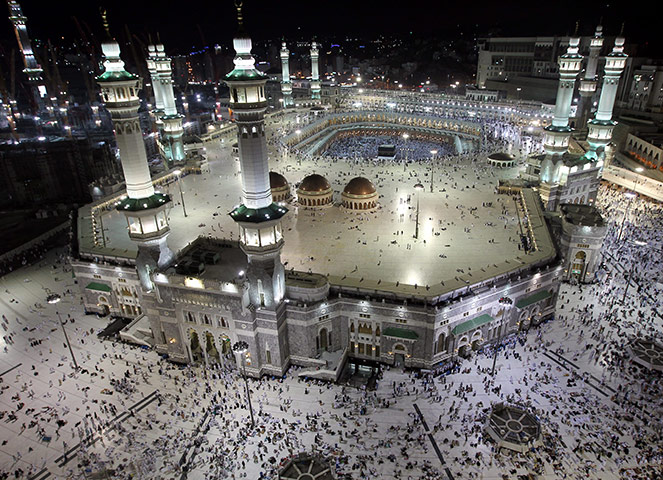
(557,135)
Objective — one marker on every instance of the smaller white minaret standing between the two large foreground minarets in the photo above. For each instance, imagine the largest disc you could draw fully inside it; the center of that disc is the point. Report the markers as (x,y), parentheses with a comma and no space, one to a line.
(168,120)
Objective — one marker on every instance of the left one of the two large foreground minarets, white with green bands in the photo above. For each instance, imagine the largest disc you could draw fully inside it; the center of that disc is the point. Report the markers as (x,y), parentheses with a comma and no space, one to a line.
(145,210)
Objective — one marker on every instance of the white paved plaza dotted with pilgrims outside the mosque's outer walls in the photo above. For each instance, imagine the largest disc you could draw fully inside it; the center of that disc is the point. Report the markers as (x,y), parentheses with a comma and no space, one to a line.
(608,427)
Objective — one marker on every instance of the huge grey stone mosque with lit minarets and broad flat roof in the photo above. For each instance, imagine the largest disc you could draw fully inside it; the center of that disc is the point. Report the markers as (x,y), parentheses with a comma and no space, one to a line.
(193,302)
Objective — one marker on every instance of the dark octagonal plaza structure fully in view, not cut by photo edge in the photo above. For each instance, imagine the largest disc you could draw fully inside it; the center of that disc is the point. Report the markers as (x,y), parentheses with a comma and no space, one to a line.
(513,427)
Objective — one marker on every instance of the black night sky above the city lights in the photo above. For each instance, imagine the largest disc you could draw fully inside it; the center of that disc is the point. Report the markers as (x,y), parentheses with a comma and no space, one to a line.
(181,23)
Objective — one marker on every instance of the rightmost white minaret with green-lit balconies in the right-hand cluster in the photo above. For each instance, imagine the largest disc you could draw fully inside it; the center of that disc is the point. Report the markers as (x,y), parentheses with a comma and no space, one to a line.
(601,127)
